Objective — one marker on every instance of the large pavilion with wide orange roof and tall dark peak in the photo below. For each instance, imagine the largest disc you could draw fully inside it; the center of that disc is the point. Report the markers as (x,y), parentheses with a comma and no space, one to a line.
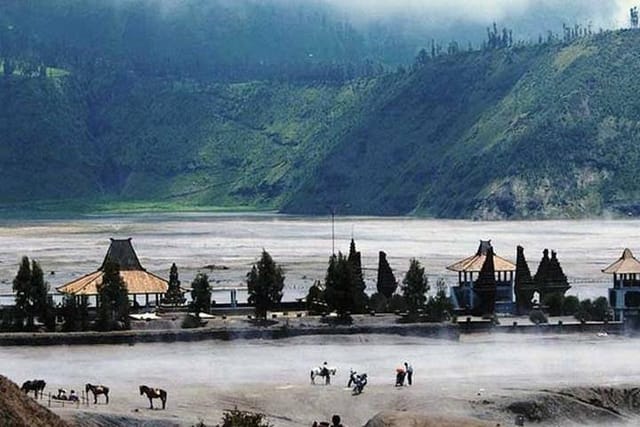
(136,278)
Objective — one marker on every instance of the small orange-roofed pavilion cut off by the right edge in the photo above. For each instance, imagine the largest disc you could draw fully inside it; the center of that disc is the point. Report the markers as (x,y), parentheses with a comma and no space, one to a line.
(624,297)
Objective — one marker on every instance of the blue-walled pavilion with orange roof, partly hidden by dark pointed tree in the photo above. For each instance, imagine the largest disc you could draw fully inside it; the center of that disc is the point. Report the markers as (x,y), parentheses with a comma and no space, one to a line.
(470,299)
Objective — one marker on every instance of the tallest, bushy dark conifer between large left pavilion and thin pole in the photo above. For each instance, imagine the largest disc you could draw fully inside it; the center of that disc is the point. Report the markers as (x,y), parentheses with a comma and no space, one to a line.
(265,282)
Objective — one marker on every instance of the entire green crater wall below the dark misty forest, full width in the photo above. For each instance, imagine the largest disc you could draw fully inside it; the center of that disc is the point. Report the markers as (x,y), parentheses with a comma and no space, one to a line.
(544,130)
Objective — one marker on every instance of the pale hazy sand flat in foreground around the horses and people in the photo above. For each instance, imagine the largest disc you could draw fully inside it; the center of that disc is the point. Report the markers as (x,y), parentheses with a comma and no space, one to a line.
(273,376)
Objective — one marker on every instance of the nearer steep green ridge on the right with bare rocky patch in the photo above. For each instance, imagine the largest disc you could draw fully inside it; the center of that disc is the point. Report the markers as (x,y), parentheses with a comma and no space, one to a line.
(544,131)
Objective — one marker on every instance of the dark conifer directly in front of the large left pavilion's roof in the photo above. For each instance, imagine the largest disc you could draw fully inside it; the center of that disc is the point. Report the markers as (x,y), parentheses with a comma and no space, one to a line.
(113,309)
